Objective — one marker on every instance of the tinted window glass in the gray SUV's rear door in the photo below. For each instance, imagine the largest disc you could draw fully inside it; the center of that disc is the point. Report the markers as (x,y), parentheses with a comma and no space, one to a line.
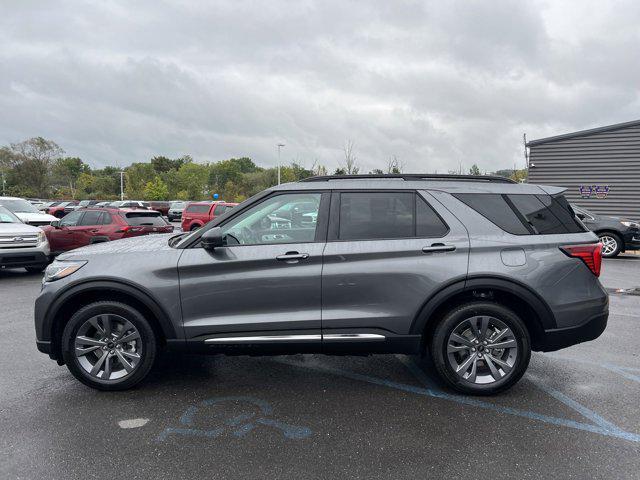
(382,215)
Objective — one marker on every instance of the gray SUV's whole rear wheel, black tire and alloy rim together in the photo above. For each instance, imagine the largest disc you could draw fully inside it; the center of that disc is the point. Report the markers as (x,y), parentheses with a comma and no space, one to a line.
(480,348)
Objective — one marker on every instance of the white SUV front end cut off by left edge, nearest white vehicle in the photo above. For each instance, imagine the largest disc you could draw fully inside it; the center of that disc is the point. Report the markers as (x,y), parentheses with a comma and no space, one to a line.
(22,245)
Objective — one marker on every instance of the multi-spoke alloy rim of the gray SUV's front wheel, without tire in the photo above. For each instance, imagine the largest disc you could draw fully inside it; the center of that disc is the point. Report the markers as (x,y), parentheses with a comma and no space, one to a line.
(108,347)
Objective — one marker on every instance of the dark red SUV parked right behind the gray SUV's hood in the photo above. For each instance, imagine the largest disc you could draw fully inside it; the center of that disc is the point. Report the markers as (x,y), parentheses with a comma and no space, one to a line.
(95,225)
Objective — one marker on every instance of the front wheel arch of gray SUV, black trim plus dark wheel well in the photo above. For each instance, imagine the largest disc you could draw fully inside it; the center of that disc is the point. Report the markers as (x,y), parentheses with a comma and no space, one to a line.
(79,295)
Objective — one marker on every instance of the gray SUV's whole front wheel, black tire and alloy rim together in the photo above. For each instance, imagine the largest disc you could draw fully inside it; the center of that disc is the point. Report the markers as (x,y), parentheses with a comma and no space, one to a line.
(109,345)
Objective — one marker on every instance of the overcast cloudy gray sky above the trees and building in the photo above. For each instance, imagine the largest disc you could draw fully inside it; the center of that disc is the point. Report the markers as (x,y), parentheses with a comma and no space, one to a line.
(434,83)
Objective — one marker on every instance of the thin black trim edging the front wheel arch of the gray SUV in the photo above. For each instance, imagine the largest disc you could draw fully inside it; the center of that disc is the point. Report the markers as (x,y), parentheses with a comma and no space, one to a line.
(121,286)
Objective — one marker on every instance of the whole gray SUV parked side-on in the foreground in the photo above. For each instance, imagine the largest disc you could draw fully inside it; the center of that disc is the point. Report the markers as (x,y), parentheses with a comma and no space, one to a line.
(473,272)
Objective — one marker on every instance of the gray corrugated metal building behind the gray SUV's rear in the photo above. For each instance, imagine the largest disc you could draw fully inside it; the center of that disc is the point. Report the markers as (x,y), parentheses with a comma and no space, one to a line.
(600,167)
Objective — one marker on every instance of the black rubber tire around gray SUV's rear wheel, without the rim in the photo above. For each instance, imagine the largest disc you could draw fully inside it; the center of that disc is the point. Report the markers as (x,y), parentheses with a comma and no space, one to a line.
(452,320)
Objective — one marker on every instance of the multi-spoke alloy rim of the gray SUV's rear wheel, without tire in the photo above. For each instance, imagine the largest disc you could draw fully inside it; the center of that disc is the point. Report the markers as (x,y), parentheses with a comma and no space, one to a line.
(482,350)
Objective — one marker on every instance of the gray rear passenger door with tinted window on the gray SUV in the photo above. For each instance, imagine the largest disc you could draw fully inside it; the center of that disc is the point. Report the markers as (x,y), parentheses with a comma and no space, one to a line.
(387,252)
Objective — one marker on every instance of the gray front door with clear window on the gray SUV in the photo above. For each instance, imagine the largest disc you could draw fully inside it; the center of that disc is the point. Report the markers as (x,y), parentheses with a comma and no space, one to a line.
(264,286)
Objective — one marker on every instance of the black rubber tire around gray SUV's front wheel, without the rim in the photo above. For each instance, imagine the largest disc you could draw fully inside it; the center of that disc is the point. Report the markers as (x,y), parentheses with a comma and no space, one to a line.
(149,344)
